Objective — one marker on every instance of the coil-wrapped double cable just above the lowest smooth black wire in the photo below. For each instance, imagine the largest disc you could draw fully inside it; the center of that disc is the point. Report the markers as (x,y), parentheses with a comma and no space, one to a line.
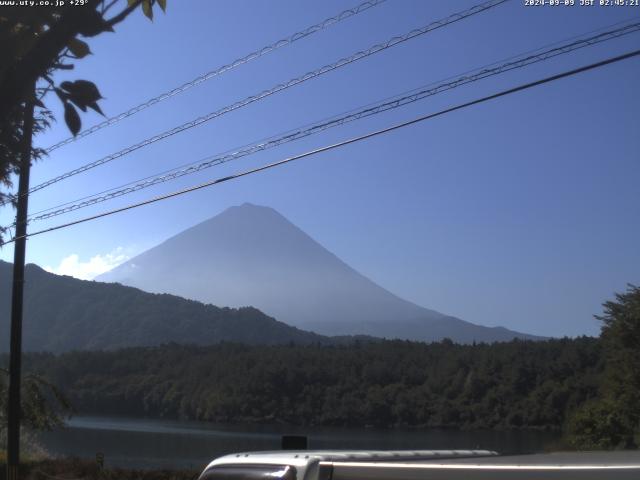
(302,132)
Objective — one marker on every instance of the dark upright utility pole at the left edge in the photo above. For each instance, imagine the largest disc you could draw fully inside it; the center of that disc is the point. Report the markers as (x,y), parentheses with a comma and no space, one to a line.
(15,356)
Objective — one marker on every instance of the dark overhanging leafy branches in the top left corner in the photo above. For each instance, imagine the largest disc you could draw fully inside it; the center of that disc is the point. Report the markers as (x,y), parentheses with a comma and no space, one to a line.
(37,42)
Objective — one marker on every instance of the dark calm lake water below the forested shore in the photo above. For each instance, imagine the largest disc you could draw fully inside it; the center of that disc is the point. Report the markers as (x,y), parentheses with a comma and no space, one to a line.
(144,443)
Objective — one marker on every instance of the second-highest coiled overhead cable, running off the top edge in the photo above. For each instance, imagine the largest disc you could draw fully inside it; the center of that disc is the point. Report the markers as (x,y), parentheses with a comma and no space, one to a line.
(278,88)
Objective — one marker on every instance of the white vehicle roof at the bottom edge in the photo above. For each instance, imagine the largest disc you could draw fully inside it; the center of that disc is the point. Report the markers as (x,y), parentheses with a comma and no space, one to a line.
(428,464)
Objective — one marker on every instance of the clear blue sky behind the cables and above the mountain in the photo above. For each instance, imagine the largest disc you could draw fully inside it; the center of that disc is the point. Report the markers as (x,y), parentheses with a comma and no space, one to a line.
(522,212)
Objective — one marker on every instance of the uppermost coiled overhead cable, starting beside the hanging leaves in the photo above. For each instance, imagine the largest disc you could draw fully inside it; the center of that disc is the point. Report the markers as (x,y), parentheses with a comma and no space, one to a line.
(223,69)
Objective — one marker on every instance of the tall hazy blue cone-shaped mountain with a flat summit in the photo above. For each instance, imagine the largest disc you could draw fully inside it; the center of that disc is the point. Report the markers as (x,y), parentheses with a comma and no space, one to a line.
(252,255)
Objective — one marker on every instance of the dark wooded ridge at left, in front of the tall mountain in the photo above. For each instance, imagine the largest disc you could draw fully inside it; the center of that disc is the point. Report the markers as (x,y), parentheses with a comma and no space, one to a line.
(63,313)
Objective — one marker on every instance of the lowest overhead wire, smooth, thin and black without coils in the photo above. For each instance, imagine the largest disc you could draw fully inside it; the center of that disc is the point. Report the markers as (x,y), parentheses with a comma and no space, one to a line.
(339,144)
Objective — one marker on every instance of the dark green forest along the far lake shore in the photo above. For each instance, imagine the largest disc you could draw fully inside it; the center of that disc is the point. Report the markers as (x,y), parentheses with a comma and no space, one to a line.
(505,385)
